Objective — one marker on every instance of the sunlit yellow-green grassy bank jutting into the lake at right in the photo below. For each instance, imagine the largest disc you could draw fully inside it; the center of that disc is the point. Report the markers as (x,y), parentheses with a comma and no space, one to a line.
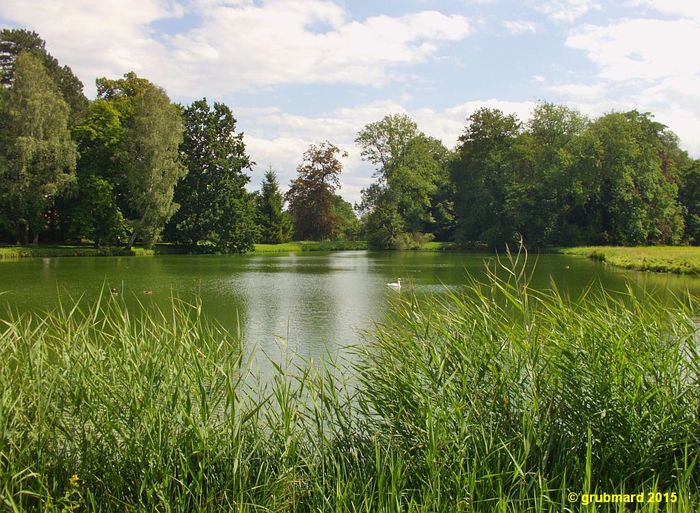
(673,259)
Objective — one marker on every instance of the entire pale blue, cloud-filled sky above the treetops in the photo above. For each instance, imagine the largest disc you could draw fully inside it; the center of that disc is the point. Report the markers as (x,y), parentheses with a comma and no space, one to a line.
(296,72)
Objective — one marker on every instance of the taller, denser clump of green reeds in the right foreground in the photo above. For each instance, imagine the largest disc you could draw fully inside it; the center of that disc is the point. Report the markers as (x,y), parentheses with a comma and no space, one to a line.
(504,397)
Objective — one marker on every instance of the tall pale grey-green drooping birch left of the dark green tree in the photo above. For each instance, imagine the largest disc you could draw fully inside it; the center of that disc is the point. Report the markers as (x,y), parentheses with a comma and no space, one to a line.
(147,154)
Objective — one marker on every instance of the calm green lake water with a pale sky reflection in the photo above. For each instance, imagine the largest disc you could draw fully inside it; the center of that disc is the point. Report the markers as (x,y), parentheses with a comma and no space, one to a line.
(306,303)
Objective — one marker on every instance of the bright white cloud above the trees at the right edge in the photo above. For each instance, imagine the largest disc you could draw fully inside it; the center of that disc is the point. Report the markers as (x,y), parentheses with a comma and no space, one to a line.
(645,64)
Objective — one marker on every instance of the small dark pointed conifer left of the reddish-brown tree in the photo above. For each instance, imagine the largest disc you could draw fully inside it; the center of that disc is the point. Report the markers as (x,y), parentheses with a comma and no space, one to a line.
(276,225)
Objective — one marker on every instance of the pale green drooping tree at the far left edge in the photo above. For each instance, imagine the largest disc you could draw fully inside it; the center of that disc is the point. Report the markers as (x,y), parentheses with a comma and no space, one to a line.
(38,157)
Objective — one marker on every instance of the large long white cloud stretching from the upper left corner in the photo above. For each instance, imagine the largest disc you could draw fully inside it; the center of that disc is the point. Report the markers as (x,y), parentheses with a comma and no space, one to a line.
(237,44)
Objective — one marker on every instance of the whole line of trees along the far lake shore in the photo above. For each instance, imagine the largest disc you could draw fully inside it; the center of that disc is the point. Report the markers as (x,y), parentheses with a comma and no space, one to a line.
(131,166)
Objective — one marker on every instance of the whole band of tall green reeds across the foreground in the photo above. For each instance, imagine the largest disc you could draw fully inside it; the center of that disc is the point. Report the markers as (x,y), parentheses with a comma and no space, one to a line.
(497,399)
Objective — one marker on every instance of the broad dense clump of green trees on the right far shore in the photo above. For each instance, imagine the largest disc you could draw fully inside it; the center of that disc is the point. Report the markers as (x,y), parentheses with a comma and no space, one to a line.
(564,180)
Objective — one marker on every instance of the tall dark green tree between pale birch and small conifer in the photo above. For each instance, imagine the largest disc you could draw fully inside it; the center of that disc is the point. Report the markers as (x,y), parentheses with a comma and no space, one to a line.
(214,206)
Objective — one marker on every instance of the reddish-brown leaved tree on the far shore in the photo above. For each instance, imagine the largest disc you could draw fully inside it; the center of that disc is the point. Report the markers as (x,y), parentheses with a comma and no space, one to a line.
(310,195)
